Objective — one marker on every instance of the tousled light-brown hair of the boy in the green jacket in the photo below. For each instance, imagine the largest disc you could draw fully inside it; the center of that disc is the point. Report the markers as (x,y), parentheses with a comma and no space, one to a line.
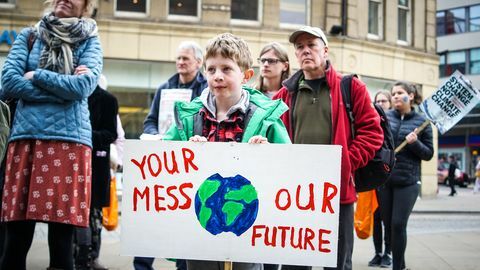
(232,47)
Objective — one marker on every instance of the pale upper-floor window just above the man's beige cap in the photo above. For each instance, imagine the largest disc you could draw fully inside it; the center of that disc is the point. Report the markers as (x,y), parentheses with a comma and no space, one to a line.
(294,12)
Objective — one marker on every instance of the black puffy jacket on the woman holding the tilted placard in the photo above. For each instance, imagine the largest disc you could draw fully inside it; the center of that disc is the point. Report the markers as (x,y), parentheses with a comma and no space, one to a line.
(407,168)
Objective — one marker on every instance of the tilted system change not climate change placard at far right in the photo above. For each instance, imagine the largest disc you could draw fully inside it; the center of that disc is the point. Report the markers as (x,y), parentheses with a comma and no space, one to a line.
(451,102)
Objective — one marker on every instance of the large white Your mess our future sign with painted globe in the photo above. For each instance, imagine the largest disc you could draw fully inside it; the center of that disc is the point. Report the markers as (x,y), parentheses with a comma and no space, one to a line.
(267,203)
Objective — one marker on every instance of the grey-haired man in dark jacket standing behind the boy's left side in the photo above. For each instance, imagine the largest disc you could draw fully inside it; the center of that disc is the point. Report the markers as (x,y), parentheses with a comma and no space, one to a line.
(188,62)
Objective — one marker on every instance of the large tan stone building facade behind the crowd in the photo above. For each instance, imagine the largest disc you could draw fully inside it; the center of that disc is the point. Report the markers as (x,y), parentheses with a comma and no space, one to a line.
(381,41)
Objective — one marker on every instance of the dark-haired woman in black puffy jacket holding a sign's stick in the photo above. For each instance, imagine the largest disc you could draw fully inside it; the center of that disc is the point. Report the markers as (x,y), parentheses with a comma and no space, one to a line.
(399,194)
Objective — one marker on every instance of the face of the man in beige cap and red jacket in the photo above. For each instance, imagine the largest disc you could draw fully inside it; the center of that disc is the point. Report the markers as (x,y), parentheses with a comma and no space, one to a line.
(311,53)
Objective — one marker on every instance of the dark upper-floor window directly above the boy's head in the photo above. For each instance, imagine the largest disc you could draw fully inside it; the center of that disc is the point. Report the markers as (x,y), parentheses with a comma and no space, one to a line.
(245,11)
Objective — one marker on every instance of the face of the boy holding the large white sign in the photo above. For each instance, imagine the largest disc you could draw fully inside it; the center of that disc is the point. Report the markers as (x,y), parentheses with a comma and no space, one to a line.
(225,78)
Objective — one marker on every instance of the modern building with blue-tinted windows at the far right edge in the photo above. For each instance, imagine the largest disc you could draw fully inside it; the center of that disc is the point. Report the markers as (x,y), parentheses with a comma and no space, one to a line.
(458,45)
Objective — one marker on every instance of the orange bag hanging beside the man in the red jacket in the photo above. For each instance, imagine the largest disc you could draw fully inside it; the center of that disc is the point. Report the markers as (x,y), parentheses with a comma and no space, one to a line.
(363,221)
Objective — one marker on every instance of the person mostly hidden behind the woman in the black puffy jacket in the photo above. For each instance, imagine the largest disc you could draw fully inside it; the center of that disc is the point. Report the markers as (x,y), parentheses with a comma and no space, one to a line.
(383,99)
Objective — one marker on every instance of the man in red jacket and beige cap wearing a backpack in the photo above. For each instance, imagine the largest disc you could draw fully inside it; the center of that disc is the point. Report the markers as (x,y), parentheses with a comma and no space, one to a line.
(317,115)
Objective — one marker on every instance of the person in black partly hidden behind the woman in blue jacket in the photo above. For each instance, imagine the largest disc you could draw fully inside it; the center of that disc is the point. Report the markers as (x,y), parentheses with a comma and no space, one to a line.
(103,108)
